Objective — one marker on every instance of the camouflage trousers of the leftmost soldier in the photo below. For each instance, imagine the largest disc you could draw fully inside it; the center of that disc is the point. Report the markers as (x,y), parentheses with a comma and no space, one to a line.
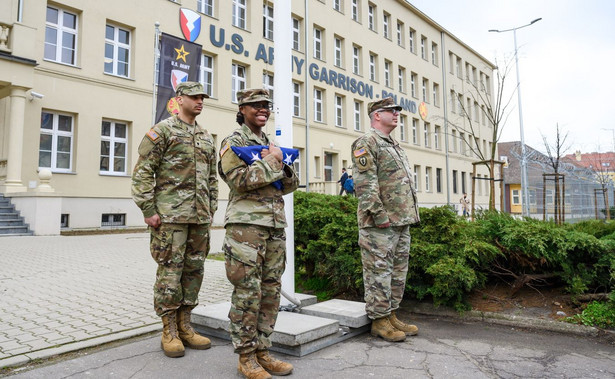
(180,251)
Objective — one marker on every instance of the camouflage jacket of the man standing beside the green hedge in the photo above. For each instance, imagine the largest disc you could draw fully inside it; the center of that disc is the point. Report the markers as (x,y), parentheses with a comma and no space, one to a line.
(383,182)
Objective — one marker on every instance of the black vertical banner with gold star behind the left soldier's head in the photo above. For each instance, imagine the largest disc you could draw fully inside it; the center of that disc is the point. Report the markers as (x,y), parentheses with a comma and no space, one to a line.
(179,62)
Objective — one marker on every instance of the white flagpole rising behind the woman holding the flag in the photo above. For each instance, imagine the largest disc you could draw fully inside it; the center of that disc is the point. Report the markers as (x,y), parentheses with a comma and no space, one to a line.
(282,101)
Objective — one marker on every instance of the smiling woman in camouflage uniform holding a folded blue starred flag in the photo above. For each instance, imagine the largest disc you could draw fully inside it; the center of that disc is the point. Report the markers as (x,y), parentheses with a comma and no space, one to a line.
(254,246)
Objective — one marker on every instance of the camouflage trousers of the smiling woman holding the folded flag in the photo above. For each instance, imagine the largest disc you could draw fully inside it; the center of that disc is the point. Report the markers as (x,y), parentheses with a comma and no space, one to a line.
(255,261)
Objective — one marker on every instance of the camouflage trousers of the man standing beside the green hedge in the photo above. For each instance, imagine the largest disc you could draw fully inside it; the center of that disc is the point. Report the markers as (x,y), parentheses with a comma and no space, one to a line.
(384,253)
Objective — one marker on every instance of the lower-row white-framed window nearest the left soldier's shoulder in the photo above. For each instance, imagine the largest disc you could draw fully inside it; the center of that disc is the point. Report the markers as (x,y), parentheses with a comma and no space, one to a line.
(113,144)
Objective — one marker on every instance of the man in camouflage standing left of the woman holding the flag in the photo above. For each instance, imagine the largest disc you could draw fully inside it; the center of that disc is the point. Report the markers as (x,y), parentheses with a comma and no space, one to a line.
(175,184)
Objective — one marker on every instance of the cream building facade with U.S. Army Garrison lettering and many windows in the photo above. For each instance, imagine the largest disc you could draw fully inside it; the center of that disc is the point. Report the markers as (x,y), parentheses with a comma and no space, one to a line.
(77,84)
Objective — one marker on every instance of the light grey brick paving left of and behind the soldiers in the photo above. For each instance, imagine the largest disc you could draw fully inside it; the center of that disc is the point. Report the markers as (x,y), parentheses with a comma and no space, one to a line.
(64,293)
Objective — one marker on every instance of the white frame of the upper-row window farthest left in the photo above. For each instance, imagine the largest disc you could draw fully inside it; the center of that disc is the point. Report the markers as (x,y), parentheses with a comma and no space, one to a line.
(57,46)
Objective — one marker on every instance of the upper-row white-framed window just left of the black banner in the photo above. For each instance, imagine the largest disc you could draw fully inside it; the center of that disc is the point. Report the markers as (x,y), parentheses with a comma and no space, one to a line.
(117,51)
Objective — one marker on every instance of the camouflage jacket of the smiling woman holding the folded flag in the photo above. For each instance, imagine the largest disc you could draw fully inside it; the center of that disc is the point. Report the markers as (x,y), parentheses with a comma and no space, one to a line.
(252,198)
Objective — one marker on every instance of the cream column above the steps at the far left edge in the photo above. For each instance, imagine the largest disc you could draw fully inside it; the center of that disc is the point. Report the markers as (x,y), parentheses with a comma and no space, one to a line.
(17,110)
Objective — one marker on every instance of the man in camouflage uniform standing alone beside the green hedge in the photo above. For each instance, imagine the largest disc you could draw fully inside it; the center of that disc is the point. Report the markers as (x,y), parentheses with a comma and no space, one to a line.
(387,207)
